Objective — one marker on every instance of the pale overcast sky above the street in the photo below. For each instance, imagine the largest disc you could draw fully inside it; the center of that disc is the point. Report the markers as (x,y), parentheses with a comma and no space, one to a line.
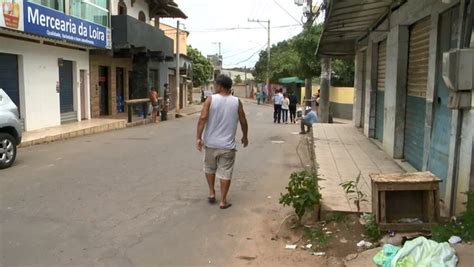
(207,20)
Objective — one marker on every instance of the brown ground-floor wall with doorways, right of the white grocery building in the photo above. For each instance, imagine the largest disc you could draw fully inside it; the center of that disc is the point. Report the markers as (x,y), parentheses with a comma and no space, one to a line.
(112,64)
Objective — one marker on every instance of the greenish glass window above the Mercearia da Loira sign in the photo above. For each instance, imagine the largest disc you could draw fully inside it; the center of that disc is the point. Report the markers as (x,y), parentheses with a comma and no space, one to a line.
(96,11)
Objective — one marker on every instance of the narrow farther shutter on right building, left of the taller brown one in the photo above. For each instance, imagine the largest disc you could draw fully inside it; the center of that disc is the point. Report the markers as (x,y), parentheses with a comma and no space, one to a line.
(379,104)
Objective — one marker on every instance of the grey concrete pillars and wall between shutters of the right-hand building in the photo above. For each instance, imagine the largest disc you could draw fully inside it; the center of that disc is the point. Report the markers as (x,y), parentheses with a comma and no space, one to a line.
(396,33)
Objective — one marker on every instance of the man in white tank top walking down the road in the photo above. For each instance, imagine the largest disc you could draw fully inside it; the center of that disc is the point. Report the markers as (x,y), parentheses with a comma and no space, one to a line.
(219,116)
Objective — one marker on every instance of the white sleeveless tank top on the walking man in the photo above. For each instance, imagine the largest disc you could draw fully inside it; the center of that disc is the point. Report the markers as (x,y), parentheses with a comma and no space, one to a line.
(222,122)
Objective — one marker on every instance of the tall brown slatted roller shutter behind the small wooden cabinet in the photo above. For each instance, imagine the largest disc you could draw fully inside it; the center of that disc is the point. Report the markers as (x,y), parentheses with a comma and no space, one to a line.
(417,78)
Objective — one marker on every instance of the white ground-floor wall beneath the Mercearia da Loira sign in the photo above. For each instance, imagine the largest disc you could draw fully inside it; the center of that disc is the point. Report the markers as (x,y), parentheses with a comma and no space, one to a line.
(39,74)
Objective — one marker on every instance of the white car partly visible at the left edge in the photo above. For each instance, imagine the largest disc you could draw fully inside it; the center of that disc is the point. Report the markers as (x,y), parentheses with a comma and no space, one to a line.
(10,130)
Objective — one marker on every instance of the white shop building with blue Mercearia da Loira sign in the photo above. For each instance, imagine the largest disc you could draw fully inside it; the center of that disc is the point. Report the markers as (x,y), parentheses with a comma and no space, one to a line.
(44,57)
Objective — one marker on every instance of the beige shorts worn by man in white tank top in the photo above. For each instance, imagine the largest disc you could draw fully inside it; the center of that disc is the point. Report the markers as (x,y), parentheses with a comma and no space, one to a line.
(219,162)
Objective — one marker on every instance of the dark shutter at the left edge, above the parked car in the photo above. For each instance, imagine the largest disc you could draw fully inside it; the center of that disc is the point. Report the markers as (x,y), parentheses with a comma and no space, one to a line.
(9,76)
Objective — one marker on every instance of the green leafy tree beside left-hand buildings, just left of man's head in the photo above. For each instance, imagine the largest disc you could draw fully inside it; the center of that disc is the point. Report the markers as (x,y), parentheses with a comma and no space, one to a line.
(202,67)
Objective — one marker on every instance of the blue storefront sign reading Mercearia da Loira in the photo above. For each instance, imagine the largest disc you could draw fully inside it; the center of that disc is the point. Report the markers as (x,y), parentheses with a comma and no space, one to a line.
(36,19)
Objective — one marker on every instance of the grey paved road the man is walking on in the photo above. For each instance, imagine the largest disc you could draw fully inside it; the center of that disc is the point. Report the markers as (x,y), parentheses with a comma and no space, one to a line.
(137,197)
